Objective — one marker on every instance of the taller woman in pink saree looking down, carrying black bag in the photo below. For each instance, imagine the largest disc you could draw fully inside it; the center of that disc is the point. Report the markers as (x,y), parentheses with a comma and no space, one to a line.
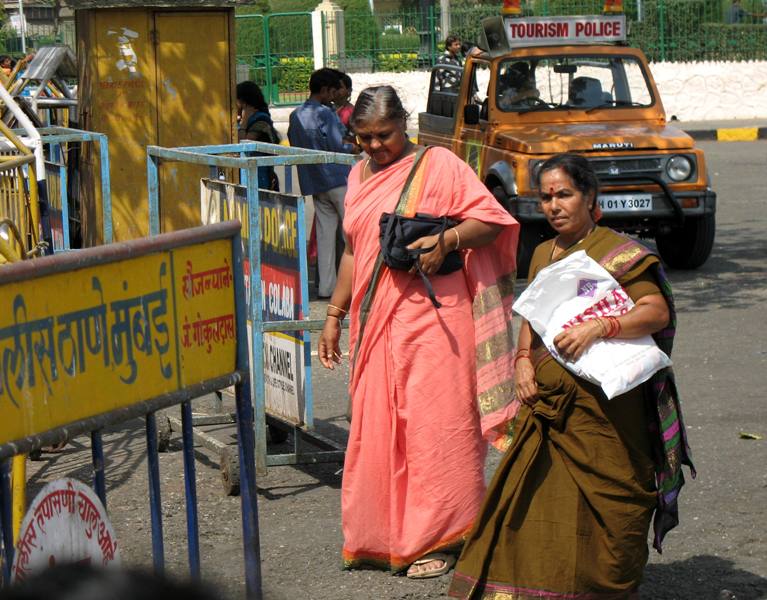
(429,386)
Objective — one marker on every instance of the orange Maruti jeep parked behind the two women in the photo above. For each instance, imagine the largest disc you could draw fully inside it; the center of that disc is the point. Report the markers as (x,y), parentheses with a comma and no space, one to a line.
(518,104)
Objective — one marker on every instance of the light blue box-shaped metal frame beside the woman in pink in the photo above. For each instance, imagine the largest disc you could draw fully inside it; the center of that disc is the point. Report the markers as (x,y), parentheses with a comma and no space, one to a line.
(240,157)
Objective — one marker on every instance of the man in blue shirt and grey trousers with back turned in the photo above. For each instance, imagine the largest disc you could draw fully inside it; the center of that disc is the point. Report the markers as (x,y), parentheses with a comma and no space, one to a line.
(316,126)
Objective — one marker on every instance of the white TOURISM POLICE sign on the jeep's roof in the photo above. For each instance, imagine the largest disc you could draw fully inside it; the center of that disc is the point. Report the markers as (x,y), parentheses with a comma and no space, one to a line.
(549,31)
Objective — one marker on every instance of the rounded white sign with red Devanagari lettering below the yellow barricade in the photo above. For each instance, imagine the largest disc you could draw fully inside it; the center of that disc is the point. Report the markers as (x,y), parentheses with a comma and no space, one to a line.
(66,523)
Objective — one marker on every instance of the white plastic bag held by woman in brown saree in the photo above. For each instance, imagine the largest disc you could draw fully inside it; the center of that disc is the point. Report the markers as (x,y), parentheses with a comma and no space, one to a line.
(577,289)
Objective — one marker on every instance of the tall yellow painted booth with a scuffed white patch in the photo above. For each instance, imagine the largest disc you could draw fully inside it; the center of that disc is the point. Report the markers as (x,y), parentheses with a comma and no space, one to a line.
(153,73)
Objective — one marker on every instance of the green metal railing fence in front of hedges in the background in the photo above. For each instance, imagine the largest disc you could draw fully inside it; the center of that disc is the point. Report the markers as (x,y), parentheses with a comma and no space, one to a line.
(276,51)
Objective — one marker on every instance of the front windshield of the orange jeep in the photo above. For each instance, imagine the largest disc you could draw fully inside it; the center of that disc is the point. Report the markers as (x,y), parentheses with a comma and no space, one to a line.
(571,82)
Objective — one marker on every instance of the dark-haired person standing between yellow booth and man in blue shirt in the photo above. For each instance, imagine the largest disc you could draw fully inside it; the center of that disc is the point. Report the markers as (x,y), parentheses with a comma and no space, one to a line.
(255,123)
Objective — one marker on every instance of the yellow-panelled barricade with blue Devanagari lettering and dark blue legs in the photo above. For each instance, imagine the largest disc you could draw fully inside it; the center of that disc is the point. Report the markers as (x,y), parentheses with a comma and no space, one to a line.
(141,316)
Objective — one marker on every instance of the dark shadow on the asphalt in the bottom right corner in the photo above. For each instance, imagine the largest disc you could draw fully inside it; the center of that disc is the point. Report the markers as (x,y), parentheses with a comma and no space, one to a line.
(702,578)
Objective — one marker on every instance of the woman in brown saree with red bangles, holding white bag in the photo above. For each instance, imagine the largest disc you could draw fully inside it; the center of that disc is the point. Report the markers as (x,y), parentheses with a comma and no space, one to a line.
(569,508)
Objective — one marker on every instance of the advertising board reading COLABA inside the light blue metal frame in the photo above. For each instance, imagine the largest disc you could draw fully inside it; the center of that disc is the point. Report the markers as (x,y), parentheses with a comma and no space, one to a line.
(280,289)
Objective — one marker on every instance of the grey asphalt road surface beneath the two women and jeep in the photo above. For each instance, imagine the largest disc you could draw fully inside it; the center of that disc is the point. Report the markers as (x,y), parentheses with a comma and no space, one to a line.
(719,551)
